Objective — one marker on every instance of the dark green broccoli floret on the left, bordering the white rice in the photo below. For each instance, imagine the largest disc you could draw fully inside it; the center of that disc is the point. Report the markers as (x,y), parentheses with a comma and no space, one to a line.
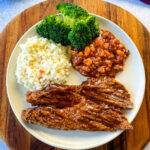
(53,27)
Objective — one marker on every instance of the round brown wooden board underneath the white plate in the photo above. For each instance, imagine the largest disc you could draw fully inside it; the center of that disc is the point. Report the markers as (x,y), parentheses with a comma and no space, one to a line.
(11,131)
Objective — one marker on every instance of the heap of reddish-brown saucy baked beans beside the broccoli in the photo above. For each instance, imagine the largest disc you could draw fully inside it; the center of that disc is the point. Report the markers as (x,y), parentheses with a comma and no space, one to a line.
(105,56)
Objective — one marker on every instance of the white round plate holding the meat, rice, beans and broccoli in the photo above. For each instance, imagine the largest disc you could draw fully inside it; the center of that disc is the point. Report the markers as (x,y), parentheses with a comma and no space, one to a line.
(133,77)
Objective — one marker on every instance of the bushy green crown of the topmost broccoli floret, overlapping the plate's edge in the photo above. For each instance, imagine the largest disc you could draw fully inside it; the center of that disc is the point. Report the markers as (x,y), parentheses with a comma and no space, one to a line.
(71,10)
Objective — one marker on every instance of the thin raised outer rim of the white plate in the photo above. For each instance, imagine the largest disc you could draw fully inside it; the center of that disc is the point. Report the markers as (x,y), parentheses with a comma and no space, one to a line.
(68,146)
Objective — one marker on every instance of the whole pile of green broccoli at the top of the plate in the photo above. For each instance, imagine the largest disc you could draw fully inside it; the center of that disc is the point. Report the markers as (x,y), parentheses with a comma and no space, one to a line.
(73,26)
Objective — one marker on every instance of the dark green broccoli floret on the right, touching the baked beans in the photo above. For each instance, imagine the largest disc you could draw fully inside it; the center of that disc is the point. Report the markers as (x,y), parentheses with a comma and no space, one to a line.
(83,33)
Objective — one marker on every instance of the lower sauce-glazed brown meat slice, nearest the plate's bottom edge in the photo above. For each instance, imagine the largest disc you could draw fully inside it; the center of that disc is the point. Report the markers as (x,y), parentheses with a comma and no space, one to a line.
(86,115)
